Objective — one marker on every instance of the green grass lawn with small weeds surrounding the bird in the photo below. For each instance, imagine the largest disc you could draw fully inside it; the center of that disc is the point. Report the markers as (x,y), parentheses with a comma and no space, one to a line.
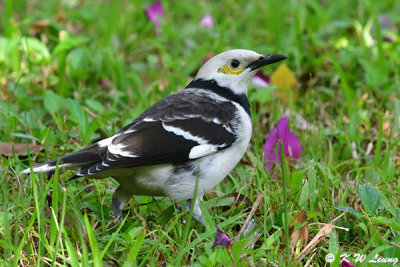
(51,96)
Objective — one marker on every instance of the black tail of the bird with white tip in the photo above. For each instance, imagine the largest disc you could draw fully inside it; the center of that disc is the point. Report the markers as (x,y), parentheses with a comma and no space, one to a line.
(76,160)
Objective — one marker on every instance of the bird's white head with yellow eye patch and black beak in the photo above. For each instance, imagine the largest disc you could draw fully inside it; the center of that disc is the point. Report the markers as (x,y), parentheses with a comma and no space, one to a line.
(235,68)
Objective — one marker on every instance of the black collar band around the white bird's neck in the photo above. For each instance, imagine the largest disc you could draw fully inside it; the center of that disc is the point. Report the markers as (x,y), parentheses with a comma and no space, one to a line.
(225,92)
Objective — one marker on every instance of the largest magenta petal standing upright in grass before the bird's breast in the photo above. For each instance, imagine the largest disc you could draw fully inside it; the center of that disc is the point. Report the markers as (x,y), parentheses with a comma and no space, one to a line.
(291,144)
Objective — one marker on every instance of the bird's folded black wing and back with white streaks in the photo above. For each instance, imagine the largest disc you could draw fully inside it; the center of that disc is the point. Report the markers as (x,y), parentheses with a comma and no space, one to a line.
(181,127)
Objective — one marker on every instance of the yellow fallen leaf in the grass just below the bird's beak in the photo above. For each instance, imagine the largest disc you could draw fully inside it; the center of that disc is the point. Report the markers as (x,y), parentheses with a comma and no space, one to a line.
(284,79)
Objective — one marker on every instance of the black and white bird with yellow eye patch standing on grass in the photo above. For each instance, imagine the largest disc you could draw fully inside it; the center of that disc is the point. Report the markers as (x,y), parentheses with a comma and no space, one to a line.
(182,146)
